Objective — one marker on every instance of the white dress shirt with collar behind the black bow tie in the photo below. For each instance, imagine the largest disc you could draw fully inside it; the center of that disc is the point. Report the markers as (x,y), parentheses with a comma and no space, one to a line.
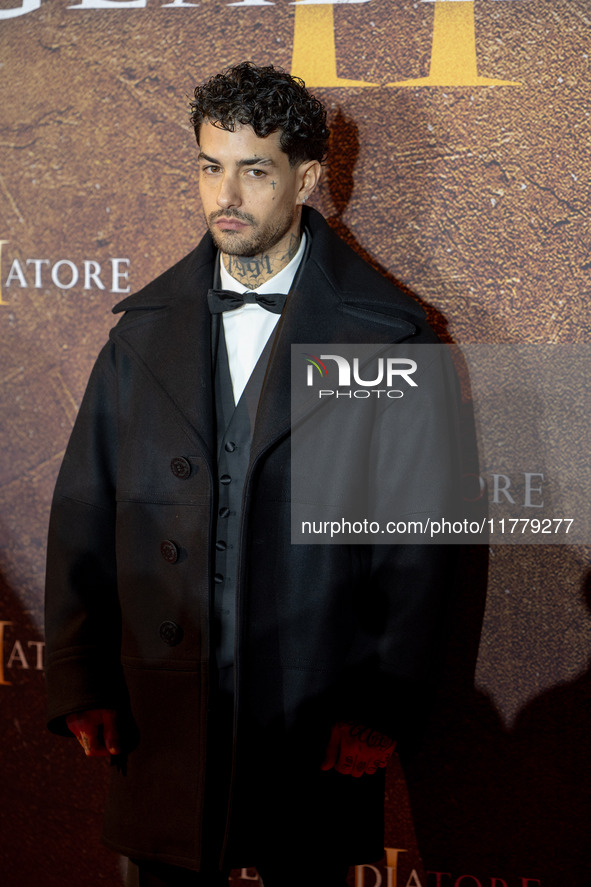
(247,329)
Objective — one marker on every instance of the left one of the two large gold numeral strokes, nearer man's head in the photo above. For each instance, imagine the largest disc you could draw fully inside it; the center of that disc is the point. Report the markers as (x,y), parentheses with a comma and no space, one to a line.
(314,50)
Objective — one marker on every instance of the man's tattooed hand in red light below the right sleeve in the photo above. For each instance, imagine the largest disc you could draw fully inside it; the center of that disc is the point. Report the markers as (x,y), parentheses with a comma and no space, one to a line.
(354,749)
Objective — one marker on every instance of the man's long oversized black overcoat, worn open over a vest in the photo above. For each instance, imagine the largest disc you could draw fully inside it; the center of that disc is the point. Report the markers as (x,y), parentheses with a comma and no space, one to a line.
(327,632)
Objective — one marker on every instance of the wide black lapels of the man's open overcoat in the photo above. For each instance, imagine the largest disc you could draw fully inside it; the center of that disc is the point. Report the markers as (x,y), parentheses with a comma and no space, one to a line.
(167,328)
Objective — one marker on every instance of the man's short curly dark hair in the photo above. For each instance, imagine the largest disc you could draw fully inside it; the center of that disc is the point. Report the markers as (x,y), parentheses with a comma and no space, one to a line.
(268,99)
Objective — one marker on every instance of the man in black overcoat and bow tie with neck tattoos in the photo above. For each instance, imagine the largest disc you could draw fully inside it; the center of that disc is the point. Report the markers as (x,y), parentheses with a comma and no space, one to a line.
(248,691)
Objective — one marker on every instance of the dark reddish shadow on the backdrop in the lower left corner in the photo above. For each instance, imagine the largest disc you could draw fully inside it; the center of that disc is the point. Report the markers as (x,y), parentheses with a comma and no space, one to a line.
(51,797)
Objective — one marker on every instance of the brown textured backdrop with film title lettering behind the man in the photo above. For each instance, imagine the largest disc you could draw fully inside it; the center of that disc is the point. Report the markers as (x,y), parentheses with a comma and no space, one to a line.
(460,166)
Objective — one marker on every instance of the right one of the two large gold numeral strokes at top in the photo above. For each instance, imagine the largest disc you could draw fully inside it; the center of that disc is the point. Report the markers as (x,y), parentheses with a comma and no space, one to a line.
(453,54)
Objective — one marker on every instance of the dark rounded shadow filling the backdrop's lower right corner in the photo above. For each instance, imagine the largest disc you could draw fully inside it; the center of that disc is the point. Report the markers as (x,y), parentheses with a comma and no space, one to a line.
(511,804)
